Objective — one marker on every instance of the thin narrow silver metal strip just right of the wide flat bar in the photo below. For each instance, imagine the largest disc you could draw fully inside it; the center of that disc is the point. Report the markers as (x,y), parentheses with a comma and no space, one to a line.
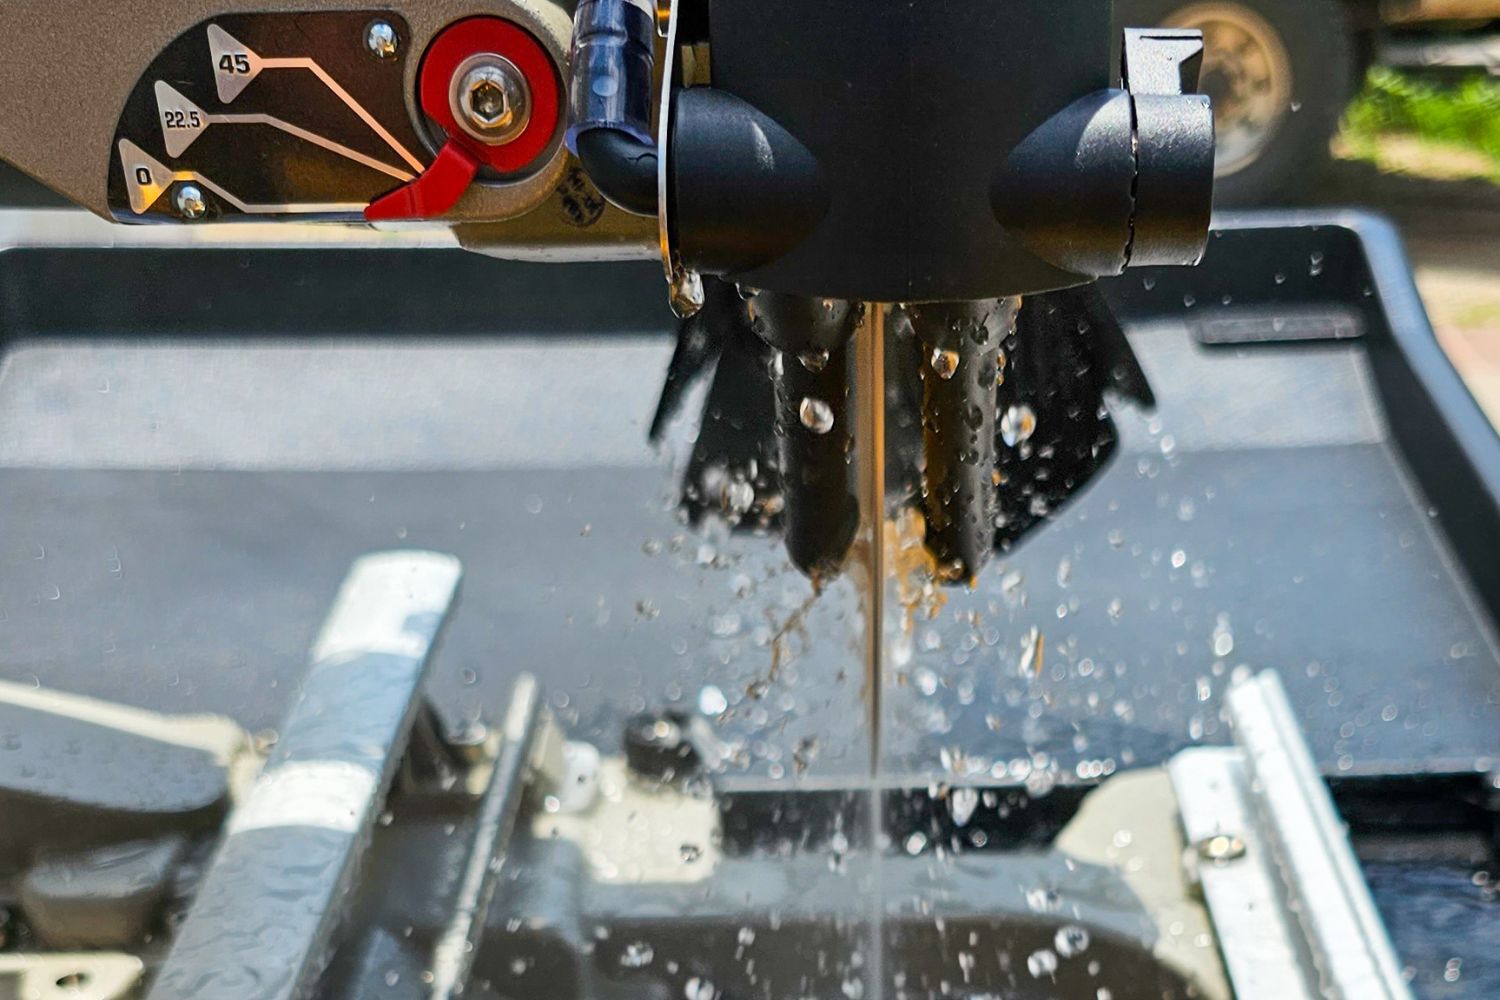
(458,945)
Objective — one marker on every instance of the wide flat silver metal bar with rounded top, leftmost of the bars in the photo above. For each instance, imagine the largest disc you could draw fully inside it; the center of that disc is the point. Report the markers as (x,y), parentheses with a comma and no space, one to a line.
(262,924)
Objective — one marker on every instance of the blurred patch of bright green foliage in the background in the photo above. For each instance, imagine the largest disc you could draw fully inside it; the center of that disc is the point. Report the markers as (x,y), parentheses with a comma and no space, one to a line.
(1460,115)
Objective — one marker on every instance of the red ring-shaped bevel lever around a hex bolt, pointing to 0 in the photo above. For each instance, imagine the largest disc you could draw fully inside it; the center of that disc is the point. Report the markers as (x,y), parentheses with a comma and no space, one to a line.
(451,59)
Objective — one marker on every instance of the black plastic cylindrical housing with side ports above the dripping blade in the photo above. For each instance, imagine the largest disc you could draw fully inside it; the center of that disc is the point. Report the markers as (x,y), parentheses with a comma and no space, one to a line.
(949,151)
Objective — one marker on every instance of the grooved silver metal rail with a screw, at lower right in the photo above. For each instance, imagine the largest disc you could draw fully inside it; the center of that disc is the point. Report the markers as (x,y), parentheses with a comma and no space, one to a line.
(1291,906)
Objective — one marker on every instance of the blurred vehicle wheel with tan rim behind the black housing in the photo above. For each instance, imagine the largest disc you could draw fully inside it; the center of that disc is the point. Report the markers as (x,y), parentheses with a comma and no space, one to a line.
(1280,74)
